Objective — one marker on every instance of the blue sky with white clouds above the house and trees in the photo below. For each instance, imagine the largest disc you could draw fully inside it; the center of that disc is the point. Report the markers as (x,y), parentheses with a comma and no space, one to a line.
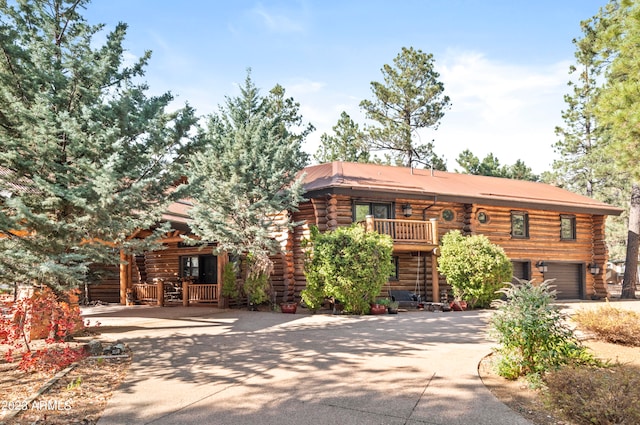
(504,63)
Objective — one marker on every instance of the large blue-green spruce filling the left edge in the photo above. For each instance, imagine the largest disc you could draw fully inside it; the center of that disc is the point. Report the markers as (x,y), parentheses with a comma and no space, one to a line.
(86,156)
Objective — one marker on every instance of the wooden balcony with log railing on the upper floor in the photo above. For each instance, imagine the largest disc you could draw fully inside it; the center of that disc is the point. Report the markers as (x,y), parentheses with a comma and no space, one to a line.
(407,235)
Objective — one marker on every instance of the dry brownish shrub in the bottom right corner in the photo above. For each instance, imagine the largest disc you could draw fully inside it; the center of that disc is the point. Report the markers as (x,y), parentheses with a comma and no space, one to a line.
(595,396)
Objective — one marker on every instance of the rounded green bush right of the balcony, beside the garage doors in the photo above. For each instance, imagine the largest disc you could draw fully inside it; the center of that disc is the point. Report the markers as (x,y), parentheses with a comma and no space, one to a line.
(474,267)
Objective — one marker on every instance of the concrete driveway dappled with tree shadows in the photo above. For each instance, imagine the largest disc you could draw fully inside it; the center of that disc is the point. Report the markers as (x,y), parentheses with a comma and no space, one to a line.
(208,366)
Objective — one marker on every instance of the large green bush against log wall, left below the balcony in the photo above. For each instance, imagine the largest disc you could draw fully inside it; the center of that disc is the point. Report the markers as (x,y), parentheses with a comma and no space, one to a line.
(347,264)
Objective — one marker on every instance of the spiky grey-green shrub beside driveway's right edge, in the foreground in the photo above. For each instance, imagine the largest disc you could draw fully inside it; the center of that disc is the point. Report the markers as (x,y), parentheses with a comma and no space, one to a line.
(531,333)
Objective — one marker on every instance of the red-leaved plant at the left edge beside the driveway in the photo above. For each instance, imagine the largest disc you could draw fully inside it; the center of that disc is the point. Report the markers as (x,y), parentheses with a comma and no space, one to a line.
(42,316)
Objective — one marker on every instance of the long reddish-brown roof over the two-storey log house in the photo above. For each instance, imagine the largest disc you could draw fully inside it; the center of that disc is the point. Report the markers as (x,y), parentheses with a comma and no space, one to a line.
(345,177)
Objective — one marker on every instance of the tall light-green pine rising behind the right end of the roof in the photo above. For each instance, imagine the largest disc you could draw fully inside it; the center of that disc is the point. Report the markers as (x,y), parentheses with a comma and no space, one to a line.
(585,165)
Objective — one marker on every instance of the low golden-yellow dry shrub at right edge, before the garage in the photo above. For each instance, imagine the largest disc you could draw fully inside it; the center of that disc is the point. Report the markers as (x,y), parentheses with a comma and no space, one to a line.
(610,324)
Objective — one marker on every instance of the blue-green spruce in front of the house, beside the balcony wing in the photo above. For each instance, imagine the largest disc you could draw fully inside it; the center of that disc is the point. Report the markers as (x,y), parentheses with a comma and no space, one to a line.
(248,174)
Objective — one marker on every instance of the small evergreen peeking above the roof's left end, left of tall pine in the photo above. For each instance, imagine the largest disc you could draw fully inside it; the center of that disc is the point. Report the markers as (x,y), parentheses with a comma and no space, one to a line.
(347,144)
